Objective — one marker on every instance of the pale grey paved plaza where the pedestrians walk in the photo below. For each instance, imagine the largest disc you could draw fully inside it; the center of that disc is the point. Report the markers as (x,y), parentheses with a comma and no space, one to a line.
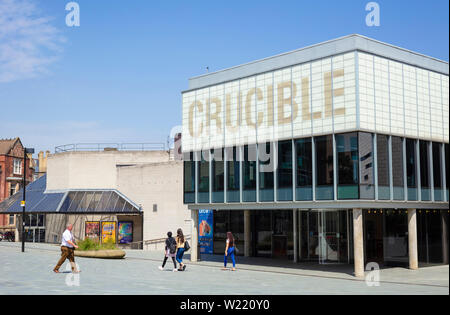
(31,273)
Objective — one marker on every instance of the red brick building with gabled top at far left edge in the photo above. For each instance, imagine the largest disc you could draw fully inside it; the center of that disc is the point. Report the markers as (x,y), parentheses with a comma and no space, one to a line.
(11,175)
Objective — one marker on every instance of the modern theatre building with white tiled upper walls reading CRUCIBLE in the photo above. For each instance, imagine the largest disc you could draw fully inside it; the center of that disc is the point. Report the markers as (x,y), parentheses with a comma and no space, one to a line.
(333,153)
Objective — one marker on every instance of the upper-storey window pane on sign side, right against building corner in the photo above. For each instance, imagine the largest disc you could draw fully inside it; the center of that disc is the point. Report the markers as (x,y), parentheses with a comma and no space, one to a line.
(347,150)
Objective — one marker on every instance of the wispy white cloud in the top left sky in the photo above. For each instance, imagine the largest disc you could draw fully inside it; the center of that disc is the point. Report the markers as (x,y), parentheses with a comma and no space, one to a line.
(28,41)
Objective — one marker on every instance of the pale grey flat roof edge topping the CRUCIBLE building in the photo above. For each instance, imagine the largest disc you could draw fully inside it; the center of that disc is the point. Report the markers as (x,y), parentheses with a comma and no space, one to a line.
(354,42)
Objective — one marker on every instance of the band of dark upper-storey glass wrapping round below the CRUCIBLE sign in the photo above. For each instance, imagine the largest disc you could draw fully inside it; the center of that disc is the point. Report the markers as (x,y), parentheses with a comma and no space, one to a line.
(365,163)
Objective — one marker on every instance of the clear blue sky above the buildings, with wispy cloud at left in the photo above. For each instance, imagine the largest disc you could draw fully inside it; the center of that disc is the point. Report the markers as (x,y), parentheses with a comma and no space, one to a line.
(119,76)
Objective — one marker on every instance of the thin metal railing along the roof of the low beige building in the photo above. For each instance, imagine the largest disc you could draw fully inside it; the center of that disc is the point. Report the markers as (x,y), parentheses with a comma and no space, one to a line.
(98,147)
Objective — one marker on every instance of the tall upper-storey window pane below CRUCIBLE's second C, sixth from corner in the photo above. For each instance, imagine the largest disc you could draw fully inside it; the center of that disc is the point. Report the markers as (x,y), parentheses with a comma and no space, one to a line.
(249,174)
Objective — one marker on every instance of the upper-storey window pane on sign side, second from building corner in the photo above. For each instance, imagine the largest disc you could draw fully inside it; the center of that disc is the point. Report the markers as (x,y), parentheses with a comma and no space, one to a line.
(324,166)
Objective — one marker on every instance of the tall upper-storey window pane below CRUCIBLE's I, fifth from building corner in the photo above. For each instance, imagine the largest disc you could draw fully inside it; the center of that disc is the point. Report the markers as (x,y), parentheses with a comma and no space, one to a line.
(266,171)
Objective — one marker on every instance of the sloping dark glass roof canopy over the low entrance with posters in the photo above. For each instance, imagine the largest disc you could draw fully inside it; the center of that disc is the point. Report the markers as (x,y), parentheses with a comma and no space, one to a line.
(79,201)
